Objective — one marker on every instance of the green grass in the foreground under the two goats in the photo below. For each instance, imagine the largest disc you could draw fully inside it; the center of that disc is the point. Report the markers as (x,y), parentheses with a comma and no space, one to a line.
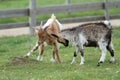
(11,47)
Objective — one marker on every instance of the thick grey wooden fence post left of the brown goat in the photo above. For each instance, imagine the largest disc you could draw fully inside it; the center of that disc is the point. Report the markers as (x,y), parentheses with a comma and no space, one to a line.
(32,16)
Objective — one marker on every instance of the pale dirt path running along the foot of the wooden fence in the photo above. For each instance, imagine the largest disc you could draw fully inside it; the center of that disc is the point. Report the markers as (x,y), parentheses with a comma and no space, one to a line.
(21,31)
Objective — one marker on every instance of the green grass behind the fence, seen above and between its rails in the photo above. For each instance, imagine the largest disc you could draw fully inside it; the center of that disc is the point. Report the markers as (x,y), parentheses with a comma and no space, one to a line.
(15,4)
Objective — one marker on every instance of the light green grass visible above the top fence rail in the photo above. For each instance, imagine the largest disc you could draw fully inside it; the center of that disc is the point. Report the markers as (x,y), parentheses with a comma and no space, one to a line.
(13,4)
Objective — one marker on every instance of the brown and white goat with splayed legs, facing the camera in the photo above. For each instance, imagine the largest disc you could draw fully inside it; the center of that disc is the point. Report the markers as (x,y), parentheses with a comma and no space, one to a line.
(49,33)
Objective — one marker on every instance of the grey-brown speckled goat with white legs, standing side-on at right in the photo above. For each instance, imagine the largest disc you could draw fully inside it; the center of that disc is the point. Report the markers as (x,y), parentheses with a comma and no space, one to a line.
(91,35)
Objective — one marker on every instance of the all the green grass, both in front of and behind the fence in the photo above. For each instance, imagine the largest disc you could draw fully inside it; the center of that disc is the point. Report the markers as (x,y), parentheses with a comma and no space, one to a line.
(31,69)
